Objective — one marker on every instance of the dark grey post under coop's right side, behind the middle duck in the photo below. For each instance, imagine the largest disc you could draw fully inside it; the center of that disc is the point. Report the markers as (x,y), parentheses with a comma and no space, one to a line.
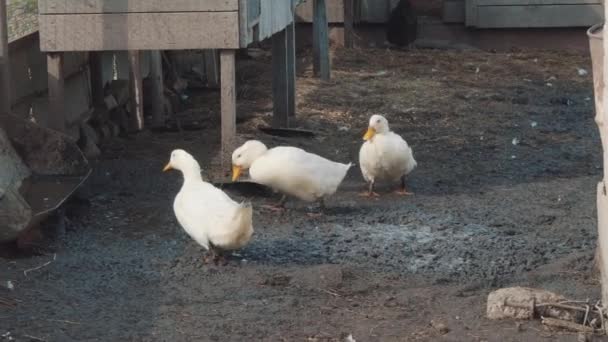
(283,77)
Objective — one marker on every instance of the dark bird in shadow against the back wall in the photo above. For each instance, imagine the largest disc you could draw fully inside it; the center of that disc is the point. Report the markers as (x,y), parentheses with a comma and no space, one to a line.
(402,25)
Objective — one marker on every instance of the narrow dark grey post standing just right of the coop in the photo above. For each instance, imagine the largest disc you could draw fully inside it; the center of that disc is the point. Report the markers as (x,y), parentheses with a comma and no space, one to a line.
(320,40)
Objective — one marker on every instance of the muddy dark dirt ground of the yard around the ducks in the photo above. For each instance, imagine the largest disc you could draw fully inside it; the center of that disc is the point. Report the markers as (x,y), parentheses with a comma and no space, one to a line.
(508,160)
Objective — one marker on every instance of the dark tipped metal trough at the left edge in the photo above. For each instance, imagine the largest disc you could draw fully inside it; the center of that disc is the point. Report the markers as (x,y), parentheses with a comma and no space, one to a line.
(45,169)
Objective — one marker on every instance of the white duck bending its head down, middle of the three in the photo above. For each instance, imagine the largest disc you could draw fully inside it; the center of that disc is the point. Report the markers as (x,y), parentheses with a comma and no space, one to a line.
(289,170)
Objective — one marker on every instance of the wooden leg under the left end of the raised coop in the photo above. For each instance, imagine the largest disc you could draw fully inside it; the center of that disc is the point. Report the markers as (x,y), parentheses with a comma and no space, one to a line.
(56,84)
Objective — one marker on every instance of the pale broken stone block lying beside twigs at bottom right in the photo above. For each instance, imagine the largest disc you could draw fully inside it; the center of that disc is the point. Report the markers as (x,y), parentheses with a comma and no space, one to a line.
(519,303)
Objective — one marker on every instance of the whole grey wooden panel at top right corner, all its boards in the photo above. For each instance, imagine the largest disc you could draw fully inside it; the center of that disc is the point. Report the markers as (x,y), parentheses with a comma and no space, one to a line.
(528,14)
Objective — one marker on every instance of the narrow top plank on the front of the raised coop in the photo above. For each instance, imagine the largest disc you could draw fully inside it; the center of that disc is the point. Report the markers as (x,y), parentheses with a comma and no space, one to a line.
(134,6)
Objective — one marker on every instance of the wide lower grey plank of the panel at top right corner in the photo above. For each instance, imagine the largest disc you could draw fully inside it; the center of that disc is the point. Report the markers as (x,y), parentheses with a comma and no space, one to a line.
(538,16)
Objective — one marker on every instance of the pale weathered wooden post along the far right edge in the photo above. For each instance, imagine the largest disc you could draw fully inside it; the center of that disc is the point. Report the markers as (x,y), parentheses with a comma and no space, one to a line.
(602,198)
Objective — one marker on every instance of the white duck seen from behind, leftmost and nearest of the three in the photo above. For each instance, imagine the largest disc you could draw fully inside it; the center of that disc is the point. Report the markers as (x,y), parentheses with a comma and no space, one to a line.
(206,213)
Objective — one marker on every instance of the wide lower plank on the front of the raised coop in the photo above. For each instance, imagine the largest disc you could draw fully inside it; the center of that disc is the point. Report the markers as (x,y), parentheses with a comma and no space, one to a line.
(139,31)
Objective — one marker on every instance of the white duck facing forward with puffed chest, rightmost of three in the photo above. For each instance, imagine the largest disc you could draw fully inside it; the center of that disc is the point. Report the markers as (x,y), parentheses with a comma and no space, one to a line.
(384,155)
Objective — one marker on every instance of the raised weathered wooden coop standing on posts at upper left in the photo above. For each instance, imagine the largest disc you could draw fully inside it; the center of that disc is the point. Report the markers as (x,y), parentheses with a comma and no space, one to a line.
(134,25)
